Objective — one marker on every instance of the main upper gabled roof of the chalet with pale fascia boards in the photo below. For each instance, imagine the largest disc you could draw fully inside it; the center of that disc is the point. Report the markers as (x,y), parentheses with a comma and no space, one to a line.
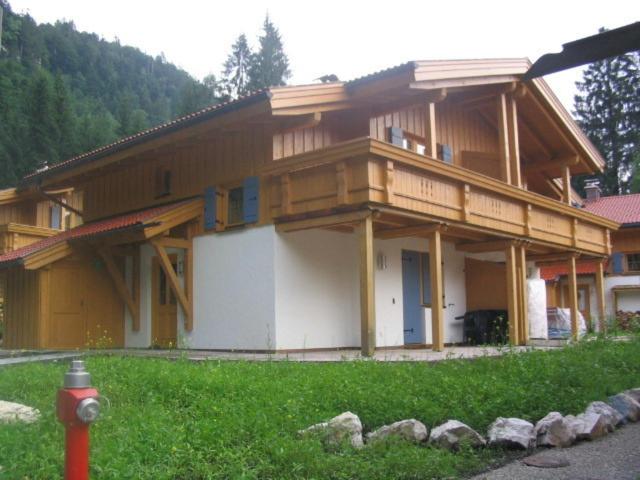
(414,77)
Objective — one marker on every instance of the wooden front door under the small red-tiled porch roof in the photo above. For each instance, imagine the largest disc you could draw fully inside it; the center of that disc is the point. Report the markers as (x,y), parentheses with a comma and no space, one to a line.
(164,307)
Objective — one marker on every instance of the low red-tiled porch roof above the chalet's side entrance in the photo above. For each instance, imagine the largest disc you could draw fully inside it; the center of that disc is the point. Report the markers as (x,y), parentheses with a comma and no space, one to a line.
(53,248)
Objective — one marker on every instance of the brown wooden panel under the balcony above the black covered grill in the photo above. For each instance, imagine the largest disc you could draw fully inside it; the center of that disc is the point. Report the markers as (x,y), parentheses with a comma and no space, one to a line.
(485,285)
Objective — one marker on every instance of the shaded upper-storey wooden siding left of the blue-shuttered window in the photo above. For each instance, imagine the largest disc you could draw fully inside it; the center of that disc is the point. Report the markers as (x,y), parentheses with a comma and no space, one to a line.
(221,160)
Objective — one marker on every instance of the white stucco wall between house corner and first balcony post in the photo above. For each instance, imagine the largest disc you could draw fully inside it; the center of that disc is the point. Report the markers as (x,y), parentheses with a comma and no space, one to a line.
(317,290)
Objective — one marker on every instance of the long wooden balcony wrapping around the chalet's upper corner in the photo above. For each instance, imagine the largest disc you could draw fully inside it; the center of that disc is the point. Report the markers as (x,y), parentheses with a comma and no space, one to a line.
(367,171)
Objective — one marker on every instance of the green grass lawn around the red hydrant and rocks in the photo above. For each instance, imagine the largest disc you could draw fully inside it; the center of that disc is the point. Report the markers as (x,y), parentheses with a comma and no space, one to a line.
(178,419)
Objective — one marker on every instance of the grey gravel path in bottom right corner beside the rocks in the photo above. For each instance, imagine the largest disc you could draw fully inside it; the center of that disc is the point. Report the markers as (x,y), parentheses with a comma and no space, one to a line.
(614,457)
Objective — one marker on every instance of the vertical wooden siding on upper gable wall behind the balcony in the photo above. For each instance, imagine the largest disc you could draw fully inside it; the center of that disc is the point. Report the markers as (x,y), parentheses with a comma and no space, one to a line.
(462,130)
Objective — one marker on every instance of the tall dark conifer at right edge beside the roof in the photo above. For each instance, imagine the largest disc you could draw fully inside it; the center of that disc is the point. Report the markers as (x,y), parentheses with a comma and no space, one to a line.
(608,110)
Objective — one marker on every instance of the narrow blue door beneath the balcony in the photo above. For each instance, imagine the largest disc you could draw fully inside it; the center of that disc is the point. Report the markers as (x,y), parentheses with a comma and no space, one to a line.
(411,301)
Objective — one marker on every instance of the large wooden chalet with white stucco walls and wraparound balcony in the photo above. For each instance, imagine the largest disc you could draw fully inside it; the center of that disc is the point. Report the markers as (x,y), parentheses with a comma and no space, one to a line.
(362,214)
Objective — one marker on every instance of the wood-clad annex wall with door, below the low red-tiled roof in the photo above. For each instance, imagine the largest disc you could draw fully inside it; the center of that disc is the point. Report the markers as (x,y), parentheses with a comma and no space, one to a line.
(71,304)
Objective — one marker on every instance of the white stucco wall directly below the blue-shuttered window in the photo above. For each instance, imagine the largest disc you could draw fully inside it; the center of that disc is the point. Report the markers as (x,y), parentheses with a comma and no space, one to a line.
(234,290)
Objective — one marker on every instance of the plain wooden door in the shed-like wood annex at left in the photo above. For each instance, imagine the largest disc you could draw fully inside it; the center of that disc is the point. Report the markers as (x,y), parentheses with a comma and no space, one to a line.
(68,325)
